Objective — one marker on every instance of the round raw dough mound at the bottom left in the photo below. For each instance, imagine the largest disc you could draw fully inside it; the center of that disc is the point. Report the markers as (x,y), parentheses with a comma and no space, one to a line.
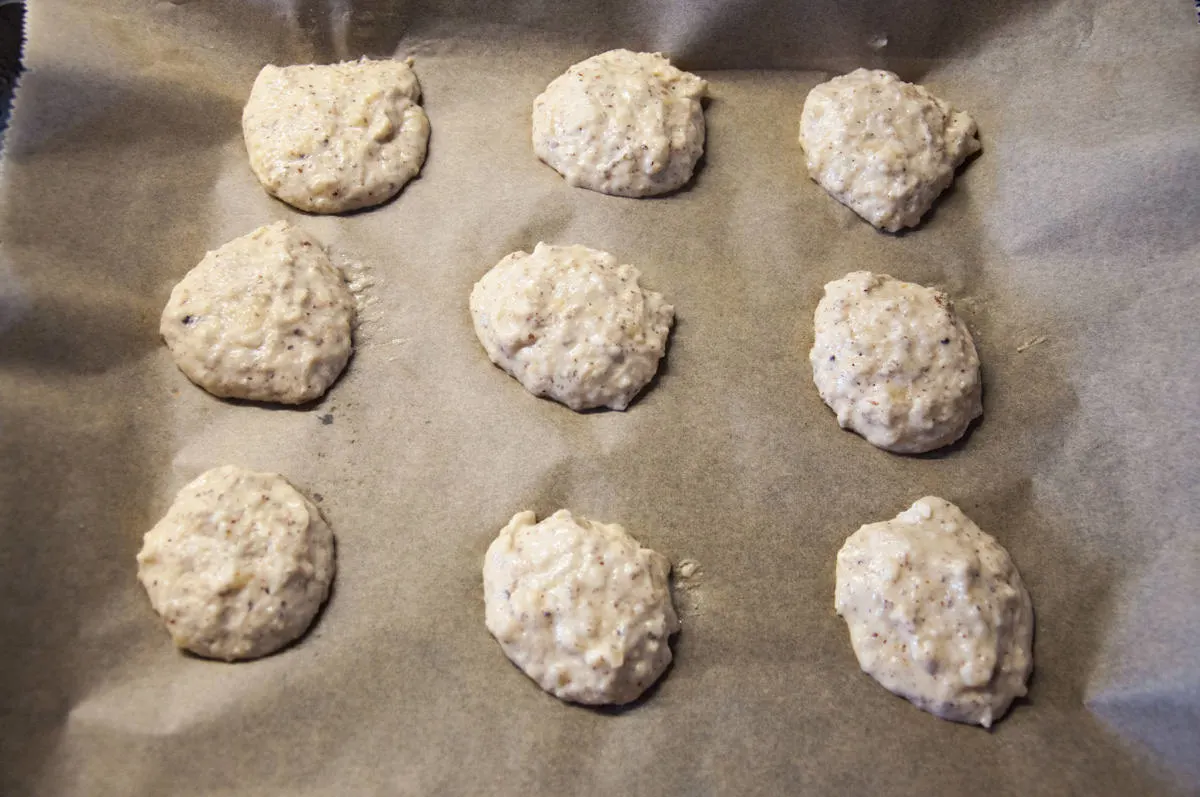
(239,566)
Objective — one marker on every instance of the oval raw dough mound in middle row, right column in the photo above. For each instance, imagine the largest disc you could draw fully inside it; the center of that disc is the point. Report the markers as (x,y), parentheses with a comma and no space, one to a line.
(896,363)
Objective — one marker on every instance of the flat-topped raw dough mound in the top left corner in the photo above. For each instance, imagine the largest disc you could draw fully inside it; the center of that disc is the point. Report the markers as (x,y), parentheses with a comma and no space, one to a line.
(338,137)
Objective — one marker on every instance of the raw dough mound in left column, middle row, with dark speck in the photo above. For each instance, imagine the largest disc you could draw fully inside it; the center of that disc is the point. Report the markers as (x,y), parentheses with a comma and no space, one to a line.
(266,317)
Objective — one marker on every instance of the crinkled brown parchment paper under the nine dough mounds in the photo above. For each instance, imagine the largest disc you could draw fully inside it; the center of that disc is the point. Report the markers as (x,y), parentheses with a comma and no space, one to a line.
(1071,244)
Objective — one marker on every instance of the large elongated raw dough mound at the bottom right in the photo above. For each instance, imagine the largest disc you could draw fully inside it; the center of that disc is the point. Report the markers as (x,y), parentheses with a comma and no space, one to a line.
(938,613)
